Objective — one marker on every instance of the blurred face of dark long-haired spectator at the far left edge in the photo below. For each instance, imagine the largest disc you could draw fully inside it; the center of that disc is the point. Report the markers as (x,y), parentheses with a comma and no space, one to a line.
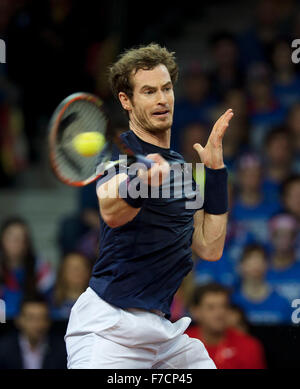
(14,240)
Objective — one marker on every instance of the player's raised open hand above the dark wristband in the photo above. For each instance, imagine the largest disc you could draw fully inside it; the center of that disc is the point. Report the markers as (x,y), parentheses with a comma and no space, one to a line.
(212,154)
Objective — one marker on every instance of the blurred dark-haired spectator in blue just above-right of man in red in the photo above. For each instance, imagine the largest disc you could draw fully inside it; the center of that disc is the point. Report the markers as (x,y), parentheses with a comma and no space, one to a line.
(260,302)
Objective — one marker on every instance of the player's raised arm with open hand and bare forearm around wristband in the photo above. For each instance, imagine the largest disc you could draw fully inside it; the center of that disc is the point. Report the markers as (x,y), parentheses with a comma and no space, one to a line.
(210,229)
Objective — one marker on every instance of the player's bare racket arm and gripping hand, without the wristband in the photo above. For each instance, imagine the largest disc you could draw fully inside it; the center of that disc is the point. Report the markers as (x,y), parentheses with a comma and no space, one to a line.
(114,209)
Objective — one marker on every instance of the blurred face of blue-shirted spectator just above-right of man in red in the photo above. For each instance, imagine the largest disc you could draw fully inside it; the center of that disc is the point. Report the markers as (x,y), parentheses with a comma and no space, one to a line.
(254,266)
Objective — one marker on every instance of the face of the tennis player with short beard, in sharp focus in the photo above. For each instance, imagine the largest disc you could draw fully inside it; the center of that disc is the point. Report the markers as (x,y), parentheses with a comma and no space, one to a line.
(152,104)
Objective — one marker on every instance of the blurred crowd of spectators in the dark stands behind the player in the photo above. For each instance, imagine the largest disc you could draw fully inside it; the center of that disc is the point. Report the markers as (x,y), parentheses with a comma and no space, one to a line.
(251,72)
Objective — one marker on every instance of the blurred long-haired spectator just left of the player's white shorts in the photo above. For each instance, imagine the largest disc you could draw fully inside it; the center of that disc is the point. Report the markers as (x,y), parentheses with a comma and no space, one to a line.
(72,280)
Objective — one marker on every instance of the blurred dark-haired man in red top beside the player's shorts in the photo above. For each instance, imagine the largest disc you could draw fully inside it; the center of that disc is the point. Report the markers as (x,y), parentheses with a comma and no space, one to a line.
(226,346)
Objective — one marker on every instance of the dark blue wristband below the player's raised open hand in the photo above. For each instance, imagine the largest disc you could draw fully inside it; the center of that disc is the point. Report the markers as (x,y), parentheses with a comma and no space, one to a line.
(215,191)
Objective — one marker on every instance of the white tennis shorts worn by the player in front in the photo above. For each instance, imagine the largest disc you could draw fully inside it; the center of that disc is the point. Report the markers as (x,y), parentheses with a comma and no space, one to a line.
(103,336)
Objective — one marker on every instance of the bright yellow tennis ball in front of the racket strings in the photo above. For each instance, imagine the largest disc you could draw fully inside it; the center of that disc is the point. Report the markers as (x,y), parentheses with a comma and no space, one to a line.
(88,144)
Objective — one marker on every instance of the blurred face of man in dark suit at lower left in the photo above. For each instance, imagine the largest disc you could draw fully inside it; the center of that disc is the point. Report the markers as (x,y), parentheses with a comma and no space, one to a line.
(34,321)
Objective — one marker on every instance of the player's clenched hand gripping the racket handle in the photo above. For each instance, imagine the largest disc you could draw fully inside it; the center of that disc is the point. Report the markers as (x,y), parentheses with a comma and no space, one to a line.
(157,174)
